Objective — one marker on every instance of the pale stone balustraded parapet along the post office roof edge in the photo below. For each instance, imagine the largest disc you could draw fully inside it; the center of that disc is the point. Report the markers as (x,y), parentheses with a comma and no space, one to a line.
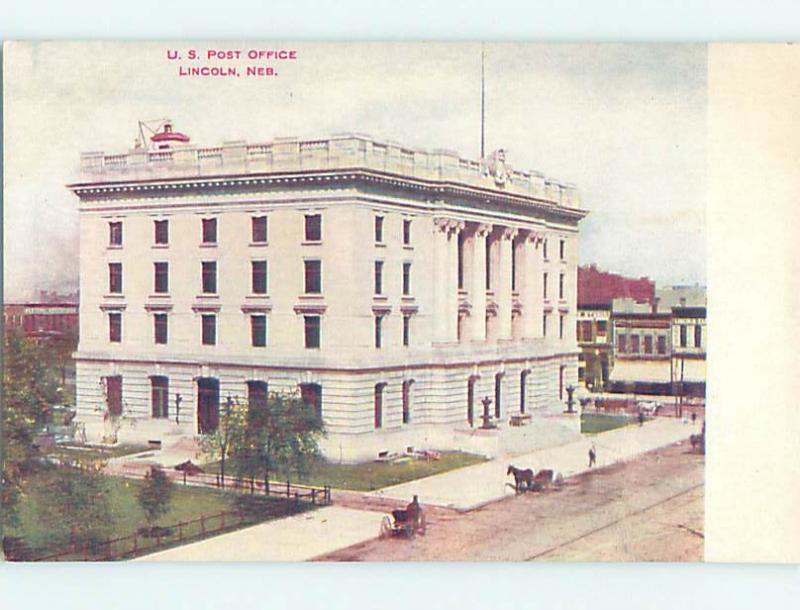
(341,151)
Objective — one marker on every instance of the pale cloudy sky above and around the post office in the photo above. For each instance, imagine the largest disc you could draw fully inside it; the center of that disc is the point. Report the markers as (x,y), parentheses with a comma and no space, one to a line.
(626,123)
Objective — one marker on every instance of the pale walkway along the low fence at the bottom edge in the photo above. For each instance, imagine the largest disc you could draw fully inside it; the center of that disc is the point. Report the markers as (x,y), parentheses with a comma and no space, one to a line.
(296,538)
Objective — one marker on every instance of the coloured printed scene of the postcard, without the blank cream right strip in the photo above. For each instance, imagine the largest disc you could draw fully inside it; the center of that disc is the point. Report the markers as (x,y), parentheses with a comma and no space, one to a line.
(347,302)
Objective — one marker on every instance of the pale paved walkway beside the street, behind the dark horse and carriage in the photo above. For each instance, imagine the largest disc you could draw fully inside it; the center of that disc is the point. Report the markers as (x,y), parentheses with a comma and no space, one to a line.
(474,486)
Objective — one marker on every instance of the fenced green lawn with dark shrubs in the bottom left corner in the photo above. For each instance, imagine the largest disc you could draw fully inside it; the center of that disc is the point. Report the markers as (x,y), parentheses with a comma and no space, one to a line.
(188,503)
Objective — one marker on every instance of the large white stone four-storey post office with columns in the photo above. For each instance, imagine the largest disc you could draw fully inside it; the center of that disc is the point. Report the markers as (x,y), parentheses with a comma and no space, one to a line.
(393,288)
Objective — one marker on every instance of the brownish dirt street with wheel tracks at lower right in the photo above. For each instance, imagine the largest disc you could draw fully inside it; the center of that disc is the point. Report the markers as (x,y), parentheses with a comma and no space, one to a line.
(647,509)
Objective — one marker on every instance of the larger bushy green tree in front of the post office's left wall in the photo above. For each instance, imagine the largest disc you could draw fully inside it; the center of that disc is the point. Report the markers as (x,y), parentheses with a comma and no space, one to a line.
(281,436)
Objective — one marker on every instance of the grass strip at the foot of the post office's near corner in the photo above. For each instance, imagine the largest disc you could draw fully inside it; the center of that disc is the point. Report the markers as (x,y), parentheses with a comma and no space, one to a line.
(369,476)
